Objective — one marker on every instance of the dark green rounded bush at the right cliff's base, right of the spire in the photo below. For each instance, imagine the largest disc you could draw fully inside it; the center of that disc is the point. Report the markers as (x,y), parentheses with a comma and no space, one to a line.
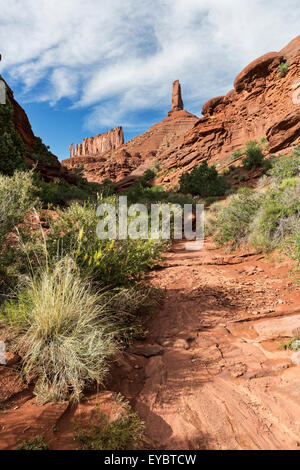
(203,181)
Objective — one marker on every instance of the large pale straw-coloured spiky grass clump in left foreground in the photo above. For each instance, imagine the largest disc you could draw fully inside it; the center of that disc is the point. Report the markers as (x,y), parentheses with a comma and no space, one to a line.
(65,332)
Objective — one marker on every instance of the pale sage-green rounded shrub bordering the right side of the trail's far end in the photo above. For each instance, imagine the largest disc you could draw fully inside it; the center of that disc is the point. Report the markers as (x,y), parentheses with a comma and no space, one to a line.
(232,224)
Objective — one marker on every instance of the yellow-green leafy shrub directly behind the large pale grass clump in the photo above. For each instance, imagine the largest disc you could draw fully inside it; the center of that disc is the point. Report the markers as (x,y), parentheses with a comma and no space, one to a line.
(114,262)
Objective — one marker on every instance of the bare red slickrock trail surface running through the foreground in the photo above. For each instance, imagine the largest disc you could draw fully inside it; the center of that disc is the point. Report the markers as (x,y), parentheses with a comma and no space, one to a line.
(222,381)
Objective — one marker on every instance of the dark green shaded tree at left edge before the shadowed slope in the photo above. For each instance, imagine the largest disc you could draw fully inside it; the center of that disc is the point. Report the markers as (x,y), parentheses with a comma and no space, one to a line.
(12,148)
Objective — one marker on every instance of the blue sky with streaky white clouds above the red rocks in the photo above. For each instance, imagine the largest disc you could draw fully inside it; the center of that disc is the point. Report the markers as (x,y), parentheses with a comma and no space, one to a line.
(82,67)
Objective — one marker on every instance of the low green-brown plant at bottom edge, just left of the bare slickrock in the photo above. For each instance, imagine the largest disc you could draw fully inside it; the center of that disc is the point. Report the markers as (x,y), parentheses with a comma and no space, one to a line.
(124,433)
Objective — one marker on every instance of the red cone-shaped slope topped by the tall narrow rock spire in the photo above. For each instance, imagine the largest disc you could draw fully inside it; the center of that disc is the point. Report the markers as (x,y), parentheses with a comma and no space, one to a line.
(140,153)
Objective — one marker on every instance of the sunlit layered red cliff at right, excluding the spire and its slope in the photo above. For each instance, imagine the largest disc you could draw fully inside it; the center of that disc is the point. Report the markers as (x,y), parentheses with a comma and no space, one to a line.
(263,103)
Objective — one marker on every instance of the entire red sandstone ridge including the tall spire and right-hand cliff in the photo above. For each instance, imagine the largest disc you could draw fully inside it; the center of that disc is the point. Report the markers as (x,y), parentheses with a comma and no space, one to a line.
(260,105)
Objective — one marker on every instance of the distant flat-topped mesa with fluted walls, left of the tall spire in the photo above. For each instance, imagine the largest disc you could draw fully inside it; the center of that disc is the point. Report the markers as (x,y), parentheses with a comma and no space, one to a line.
(101,143)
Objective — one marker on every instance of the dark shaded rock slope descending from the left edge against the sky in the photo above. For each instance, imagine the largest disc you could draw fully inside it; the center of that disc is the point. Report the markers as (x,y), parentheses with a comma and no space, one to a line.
(34,152)
